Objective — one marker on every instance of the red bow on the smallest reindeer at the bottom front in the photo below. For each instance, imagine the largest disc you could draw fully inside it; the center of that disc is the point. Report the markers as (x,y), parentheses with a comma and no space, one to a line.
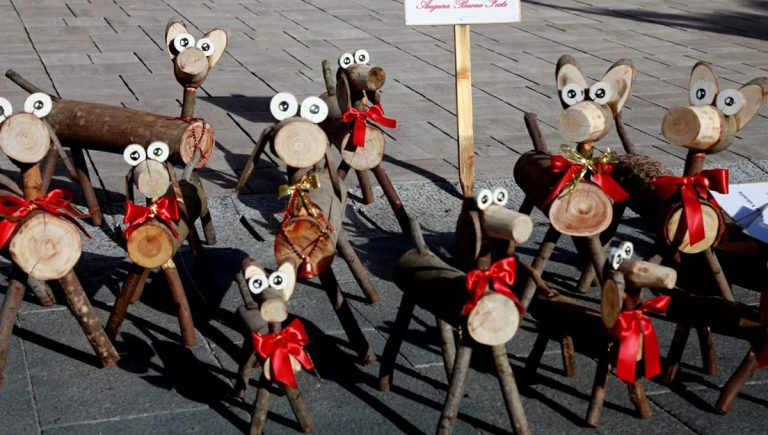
(280,347)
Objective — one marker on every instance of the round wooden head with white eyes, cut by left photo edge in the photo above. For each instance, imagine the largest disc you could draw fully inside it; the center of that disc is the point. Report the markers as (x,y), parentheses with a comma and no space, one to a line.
(25,137)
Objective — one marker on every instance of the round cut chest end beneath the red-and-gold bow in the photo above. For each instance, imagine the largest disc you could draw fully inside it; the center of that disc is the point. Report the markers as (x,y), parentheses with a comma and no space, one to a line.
(586,211)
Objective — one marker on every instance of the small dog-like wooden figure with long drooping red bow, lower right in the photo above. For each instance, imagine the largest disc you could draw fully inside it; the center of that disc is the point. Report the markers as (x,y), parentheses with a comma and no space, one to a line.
(620,323)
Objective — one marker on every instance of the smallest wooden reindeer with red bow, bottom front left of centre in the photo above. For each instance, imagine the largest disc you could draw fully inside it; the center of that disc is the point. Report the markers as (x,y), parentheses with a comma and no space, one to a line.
(279,351)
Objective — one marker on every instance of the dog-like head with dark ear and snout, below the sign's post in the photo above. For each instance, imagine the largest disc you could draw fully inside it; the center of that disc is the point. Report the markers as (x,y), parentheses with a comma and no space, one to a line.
(485,218)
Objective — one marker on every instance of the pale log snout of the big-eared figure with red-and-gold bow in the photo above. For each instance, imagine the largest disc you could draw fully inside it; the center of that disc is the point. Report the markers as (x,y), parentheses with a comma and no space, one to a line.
(583,122)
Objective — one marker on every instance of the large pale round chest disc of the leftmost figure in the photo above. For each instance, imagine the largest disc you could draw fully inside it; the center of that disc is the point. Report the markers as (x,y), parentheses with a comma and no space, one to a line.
(45,246)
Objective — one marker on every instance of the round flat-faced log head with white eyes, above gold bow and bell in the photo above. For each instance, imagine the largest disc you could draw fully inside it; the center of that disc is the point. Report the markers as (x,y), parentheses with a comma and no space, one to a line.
(298,140)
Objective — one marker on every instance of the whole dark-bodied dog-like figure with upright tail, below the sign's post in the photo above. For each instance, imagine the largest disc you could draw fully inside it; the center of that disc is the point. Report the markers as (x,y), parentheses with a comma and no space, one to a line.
(490,313)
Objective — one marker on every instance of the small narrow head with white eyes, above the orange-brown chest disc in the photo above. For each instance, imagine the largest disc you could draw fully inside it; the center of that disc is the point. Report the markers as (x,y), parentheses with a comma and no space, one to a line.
(148,170)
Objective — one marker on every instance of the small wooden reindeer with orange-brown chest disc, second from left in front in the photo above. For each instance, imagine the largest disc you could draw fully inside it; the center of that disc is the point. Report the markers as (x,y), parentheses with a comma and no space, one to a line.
(156,232)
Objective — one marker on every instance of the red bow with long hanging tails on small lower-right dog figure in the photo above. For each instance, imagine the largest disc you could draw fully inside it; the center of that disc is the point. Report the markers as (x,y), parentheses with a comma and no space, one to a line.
(628,328)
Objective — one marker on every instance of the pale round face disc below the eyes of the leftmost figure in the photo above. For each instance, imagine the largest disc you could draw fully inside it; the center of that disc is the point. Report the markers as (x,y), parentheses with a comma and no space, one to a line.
(25,138)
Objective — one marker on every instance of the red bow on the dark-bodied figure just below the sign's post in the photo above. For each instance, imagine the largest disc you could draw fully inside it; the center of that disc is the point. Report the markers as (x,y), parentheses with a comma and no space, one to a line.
(501,274)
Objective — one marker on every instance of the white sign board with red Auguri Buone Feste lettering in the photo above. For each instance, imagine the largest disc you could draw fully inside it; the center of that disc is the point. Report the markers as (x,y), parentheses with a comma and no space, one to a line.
(438,12)
